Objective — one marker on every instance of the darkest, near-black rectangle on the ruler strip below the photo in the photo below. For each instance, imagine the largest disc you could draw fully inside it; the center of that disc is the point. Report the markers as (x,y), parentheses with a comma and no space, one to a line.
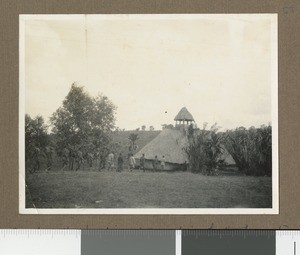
(228,242)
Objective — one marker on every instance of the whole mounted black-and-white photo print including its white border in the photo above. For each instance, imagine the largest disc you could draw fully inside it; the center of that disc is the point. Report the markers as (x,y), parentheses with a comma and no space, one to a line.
(148,114)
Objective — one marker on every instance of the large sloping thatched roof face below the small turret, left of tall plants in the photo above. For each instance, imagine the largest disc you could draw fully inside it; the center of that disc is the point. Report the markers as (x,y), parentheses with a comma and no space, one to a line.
(169,143)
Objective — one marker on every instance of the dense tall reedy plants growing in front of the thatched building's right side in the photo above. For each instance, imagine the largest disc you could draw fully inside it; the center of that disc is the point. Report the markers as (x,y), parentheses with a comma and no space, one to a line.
(250,148)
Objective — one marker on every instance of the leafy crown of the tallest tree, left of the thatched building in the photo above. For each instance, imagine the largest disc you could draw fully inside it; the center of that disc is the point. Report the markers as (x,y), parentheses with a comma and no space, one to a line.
(82,119)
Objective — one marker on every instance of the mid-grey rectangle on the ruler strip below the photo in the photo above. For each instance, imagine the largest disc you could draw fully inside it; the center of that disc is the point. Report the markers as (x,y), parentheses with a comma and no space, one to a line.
(128,242)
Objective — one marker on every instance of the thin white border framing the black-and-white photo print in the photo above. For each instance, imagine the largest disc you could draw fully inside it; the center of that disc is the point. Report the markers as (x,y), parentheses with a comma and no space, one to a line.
(152,211)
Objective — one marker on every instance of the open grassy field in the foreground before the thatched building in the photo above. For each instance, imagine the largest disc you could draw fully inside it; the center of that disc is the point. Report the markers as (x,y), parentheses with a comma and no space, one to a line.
(91,189)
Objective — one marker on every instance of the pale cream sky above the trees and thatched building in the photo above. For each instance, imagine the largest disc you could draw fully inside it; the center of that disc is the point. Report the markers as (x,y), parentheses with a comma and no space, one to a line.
(218,66)
